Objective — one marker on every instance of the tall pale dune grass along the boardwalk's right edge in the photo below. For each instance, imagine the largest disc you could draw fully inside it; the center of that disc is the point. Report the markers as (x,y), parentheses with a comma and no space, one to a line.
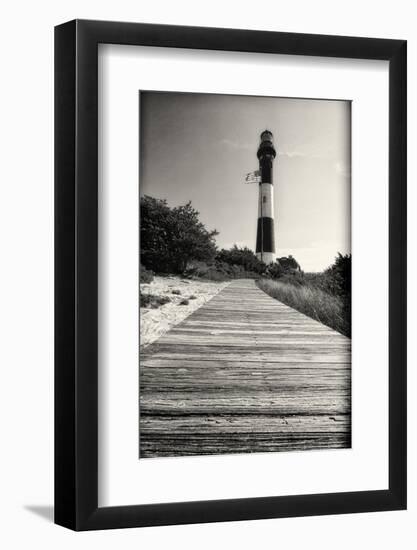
(314,302)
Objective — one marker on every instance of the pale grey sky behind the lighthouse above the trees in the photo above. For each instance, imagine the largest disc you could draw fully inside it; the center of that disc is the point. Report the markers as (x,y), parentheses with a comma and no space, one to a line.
(199,147)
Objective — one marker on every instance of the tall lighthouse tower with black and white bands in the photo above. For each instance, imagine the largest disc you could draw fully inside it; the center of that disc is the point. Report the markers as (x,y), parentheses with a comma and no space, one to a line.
(265,237)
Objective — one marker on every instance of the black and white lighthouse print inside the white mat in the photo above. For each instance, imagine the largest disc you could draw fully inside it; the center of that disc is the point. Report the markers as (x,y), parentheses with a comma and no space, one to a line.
(245,274)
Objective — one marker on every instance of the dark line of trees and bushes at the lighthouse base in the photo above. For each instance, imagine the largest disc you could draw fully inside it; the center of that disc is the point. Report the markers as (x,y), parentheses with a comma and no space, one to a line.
(174,240)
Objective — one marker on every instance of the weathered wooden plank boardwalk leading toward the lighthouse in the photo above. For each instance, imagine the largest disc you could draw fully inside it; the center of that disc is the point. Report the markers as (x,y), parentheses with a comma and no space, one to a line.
(245,373)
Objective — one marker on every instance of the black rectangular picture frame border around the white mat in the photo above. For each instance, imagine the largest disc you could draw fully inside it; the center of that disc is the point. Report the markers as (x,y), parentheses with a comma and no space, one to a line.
(76,273)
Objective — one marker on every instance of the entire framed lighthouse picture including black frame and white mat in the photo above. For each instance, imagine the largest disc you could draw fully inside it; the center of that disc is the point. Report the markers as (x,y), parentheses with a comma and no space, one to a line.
(230,251)
